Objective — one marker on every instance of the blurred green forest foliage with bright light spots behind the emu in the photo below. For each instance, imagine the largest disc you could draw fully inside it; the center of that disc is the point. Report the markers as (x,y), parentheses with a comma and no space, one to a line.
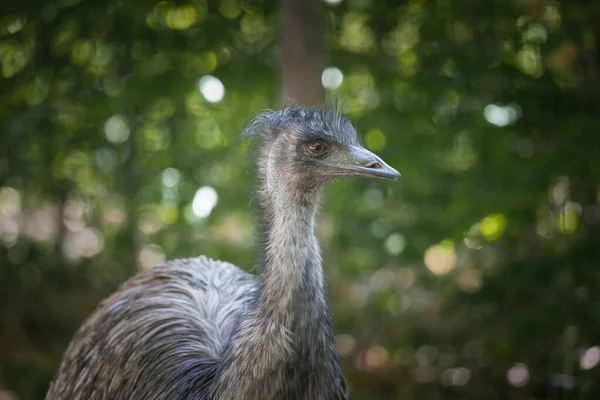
(476,276)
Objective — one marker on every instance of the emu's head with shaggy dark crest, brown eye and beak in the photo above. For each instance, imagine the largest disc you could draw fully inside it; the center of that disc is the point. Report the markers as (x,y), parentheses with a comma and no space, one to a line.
(304,148)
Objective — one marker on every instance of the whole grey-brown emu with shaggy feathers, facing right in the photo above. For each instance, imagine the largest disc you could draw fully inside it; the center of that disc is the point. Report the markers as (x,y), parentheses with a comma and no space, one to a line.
(203,329)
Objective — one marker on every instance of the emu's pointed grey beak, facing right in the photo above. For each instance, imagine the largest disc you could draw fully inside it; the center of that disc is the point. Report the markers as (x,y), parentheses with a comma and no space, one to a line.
(361,161)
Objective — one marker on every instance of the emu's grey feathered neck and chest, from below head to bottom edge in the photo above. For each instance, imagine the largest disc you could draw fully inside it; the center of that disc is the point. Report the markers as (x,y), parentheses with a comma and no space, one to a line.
(283,346)
